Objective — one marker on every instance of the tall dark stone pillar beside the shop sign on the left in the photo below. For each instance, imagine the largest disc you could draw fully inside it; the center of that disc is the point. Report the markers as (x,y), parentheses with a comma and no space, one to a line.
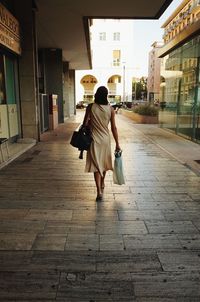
(25,12)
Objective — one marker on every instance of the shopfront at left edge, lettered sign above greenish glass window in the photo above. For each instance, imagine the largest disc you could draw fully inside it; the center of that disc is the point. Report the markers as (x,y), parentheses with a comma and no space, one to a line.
(9,51)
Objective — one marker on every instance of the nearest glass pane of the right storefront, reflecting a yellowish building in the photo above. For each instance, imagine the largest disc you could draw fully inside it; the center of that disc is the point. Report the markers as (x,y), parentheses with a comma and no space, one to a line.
(188,105)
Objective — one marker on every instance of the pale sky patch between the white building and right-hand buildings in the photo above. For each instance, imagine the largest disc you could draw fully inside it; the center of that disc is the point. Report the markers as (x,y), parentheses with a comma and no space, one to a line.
(146,33)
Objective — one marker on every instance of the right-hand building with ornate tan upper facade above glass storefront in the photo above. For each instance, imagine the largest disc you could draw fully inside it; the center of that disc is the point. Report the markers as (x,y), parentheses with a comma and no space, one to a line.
(180,89)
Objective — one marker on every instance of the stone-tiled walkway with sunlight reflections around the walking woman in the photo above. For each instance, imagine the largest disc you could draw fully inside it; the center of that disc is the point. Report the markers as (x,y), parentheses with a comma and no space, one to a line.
(142,243)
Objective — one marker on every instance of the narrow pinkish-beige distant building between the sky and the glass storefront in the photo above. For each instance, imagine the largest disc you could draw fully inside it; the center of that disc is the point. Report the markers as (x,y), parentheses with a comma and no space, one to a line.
(154,70)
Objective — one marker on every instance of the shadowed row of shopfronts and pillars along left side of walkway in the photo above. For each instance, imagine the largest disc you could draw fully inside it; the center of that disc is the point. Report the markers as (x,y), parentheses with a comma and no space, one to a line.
(35,82)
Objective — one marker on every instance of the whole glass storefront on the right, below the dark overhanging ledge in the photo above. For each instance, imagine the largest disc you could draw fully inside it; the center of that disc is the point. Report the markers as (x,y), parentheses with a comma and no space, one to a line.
(180,91)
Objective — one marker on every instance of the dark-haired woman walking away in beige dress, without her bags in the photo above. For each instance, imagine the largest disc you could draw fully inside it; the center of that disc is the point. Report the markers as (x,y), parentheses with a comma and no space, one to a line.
(99,158)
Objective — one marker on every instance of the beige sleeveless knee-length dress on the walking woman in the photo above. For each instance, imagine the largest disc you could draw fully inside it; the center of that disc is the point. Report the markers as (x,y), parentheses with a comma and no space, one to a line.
(99,156)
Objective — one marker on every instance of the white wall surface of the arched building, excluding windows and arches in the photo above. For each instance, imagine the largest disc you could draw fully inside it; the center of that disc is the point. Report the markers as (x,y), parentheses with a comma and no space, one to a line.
(102,55)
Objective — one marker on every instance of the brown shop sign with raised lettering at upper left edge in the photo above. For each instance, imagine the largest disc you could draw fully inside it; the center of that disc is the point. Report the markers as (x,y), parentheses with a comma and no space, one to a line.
(9,30)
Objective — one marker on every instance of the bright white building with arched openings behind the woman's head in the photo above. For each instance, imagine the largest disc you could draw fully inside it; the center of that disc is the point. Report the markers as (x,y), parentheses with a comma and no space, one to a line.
(112,61)
